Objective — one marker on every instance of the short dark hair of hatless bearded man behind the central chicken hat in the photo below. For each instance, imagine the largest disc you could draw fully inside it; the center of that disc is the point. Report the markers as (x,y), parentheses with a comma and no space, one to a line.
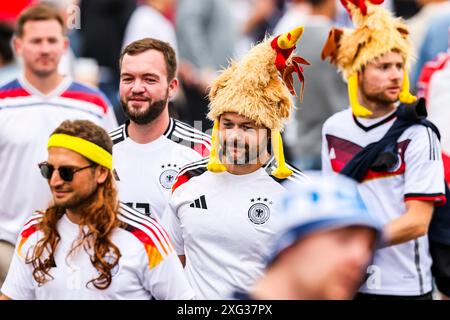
(145,44)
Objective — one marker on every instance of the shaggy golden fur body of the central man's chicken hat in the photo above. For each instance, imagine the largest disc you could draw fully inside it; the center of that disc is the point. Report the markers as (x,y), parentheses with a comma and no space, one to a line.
(252,88)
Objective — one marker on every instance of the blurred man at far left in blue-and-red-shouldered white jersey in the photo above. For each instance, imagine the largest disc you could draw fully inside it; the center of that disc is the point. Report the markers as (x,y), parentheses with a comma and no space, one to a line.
(31,106)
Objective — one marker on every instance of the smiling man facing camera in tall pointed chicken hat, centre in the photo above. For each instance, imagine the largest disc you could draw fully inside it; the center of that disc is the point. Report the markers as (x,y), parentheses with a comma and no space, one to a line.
(221,213)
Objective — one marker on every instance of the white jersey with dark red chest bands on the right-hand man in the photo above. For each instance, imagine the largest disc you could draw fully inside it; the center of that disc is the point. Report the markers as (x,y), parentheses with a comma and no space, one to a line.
(403,269)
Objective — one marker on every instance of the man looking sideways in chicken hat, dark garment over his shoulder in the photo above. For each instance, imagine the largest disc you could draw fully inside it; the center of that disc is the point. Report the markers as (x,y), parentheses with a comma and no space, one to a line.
(402,191)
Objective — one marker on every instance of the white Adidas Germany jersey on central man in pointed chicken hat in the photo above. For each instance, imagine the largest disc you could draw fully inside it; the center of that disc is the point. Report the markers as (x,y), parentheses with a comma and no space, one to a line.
(222,223)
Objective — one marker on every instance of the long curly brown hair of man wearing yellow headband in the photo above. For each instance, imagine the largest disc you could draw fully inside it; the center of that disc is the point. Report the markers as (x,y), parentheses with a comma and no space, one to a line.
(100,218)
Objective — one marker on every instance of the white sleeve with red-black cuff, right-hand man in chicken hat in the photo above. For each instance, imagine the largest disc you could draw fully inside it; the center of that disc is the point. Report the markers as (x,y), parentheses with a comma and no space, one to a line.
(424,173)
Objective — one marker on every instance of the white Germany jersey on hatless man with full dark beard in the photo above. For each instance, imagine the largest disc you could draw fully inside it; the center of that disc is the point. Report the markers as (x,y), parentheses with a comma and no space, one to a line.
(145,173)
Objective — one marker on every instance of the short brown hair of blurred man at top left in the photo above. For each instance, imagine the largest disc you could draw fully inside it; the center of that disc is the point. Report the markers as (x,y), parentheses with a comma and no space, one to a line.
(38,12)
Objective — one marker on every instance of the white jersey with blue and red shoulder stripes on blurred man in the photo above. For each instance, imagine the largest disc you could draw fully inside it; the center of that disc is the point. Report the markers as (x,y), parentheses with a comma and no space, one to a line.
(27,118)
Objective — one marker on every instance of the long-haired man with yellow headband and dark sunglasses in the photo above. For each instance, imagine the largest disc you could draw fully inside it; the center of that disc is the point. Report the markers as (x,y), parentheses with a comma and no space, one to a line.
(87,245)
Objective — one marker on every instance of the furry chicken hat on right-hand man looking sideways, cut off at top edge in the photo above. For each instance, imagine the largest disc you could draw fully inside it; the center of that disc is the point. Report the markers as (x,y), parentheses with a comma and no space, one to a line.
(376,33)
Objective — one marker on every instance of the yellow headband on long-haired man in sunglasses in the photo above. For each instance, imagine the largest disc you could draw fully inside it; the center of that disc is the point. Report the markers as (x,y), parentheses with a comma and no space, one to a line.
(86,148)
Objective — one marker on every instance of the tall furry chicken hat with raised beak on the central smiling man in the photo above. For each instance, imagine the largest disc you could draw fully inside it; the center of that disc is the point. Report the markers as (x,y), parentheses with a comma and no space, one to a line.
(258,87)
